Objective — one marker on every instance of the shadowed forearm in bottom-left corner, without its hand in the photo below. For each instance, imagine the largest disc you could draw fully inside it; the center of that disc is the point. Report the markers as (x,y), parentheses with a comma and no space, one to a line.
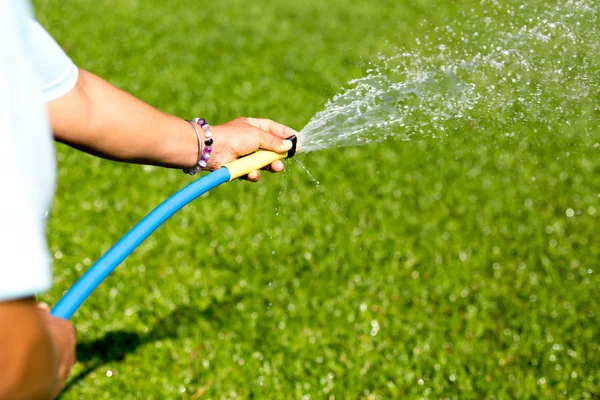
(27,360)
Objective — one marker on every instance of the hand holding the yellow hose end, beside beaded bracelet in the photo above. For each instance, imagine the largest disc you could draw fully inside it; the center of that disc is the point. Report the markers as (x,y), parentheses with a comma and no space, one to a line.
(243,136)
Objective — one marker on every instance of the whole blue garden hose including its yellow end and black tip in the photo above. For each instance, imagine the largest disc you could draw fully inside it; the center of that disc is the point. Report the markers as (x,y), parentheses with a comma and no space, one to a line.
(94,276)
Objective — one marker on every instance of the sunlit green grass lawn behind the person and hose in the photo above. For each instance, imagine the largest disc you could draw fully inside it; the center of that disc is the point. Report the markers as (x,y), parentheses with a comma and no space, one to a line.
(479,283)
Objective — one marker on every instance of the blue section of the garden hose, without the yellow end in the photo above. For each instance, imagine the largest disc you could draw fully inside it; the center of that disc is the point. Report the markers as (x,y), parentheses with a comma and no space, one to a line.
(69,303)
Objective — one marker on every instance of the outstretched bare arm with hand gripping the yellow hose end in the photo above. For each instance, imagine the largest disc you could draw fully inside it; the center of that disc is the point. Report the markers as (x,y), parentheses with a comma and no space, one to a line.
(103,120)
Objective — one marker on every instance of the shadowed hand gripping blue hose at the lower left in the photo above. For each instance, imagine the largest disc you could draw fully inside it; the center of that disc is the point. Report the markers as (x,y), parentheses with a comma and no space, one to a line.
(62,335)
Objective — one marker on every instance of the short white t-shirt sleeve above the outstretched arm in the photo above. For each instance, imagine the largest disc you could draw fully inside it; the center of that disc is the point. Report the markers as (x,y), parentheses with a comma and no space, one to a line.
(55,71)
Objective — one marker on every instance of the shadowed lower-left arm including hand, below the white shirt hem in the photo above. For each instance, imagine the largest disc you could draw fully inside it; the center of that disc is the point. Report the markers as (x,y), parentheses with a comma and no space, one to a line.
(37,351)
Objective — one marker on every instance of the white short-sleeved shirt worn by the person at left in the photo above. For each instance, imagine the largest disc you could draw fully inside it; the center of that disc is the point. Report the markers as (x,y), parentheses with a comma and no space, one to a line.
(33,69)
